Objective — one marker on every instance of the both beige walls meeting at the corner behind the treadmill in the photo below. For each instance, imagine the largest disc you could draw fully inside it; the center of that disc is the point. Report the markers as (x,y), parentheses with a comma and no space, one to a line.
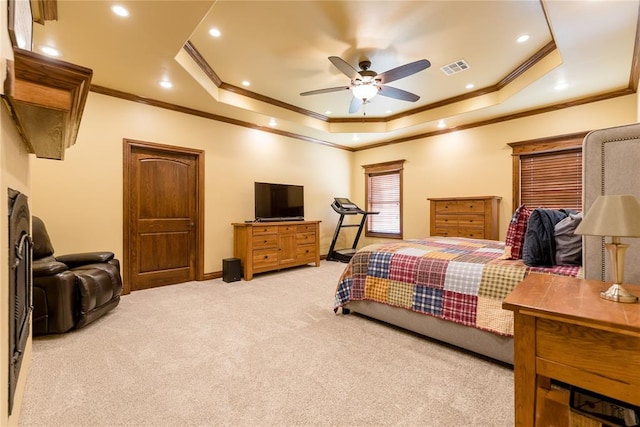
(80,198)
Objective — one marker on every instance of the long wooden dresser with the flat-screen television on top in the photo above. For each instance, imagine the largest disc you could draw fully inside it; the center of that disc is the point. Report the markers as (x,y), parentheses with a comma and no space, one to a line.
(267,246)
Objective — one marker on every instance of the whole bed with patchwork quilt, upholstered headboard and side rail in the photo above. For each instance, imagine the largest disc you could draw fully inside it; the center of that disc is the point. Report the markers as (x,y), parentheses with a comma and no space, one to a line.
(407,285)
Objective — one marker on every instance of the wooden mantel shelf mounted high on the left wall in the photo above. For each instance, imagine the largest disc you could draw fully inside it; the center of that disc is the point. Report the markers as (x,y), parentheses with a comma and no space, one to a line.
(46,98)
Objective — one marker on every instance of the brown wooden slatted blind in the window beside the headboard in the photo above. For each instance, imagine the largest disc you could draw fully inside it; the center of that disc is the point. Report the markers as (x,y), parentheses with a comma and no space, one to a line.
(552,180)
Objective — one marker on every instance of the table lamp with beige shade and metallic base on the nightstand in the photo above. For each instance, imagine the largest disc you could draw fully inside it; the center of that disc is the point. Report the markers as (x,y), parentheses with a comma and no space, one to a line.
(616,216)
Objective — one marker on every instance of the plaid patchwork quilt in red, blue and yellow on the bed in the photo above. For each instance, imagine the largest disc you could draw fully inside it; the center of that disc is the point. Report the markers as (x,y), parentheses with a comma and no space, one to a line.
(456,279)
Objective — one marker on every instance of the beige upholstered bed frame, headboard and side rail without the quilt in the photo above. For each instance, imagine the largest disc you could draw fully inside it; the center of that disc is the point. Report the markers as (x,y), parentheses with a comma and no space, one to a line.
(610,159)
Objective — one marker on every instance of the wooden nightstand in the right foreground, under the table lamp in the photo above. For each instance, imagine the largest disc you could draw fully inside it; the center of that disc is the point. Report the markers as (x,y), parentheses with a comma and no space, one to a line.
(564,330)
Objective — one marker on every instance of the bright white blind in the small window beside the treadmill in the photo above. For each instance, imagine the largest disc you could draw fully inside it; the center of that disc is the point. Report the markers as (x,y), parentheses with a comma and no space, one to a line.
(384,197)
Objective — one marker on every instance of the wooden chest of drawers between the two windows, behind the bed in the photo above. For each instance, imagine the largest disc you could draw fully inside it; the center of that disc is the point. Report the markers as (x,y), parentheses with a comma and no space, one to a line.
(474,217)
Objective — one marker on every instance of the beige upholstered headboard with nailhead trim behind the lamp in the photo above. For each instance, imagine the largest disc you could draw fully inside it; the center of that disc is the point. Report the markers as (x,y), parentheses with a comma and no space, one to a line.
(611,159)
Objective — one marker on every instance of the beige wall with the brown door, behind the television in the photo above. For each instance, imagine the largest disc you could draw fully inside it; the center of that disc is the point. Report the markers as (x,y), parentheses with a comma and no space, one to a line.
(80,198)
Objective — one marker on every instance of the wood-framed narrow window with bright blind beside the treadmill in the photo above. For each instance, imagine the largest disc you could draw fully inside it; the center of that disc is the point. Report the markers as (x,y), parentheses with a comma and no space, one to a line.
(383,193)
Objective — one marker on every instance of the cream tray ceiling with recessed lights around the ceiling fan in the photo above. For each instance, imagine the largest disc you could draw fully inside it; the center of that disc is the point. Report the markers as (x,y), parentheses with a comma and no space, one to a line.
(282,48)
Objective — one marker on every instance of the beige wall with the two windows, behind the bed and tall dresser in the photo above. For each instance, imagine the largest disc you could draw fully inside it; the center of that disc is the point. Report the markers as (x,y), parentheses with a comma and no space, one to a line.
(477,161)
